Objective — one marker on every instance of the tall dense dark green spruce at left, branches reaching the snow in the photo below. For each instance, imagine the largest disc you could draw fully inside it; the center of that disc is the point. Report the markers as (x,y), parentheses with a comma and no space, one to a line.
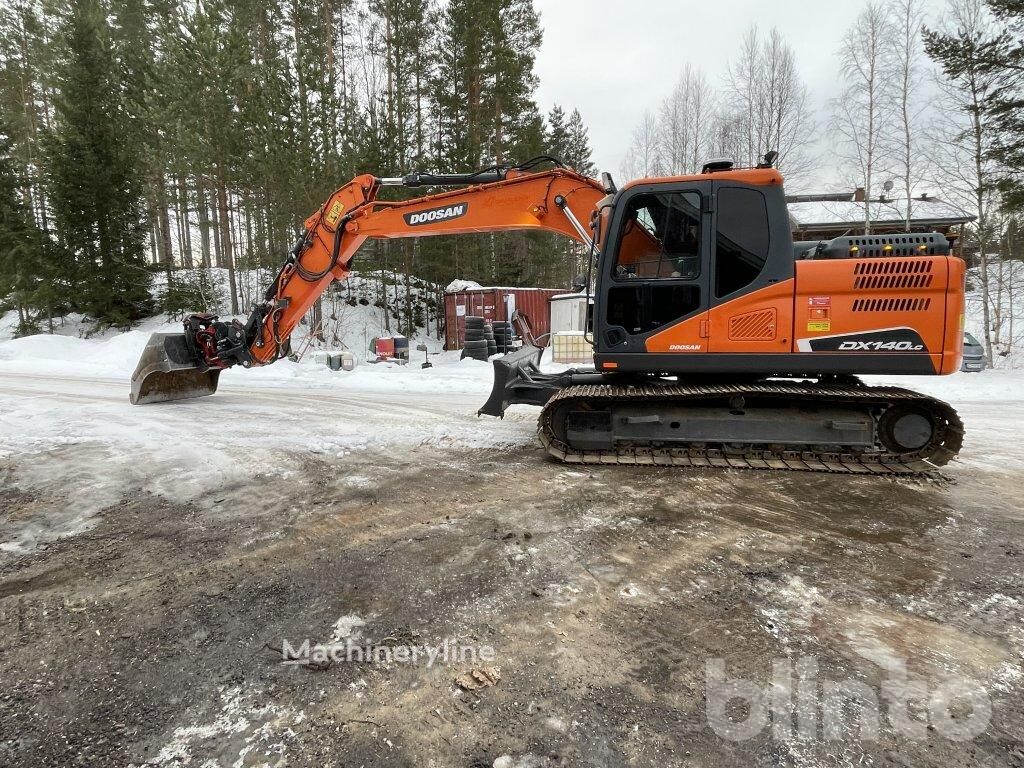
(95,176)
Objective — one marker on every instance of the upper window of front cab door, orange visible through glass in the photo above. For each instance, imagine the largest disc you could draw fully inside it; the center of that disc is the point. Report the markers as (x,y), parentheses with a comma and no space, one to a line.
(661,238)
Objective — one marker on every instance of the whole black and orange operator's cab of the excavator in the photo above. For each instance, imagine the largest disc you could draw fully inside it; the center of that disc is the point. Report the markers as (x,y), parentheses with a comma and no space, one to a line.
(680,251)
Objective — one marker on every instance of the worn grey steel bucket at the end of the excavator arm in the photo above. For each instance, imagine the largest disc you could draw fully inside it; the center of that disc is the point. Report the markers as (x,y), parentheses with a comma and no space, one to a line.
(167,371)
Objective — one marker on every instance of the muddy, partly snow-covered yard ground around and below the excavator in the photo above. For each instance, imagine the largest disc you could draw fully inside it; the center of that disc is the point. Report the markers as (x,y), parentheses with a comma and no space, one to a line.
(155,562)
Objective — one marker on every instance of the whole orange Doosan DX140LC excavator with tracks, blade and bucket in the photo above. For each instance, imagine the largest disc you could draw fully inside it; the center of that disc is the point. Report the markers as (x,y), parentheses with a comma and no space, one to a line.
(718,342)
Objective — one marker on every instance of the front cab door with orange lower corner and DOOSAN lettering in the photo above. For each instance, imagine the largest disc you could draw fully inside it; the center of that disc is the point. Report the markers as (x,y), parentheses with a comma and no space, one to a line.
(655,289)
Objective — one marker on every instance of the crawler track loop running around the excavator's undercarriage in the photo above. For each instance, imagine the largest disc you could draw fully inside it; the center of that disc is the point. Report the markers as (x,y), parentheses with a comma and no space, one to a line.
(945,447)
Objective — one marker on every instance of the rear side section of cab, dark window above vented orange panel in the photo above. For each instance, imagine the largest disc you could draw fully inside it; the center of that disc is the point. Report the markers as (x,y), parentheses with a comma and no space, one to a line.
(752,271)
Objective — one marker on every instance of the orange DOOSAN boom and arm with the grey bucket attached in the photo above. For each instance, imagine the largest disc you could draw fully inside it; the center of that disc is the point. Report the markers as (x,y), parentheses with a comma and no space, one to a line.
(184,366)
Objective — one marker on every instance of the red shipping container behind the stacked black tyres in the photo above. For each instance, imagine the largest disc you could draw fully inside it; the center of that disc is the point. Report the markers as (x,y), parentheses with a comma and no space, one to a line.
(497,305)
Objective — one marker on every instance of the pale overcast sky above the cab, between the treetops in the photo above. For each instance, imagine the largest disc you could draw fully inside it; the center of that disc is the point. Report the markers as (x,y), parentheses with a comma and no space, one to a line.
(615,59)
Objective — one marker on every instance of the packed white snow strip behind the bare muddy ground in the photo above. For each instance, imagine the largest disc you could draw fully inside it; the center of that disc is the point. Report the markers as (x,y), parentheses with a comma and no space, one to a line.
(67,404)
